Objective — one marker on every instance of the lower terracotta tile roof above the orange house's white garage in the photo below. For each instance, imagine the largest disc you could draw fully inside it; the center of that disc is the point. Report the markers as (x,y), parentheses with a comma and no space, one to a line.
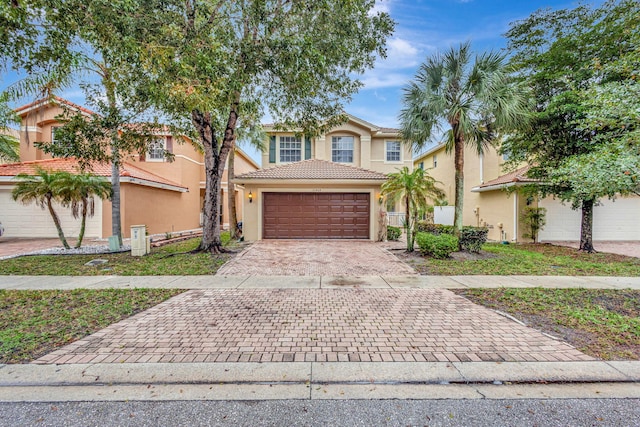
(128,172)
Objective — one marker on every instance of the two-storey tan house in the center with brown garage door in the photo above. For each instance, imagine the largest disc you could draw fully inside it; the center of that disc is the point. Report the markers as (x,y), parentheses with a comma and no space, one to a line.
(323,187)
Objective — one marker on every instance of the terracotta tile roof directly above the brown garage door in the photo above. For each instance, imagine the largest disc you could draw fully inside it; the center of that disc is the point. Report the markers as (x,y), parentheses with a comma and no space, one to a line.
(314,169)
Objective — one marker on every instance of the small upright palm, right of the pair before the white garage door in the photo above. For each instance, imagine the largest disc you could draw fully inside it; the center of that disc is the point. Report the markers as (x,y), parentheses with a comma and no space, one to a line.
(78,191)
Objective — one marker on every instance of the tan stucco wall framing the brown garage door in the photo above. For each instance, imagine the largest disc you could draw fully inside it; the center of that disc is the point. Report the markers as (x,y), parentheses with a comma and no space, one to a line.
(252,223)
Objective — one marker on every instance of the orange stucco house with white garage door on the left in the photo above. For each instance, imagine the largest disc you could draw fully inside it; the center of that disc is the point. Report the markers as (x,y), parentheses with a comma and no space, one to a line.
(165,196)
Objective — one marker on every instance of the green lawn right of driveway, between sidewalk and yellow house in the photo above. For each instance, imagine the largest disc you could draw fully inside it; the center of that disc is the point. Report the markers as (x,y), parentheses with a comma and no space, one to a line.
(530,259)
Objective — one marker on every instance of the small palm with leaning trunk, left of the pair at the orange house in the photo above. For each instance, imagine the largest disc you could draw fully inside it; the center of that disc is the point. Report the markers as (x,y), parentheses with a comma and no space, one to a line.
(42,189)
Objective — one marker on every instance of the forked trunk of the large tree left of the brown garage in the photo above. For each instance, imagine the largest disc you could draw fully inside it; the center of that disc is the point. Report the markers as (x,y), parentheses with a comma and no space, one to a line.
(214,162)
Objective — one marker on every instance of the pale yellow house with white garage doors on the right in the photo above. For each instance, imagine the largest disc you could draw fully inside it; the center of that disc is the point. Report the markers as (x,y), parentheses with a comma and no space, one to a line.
(487,203)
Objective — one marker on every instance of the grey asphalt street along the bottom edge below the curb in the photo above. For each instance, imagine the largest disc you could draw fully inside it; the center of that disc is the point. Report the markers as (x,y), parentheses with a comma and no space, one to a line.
(558,412)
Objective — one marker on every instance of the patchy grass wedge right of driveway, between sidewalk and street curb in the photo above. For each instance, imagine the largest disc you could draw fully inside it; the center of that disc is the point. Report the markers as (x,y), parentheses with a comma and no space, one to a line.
(603,323)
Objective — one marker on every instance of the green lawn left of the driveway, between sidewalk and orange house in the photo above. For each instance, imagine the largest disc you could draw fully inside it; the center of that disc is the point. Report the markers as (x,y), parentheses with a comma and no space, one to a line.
(171,259)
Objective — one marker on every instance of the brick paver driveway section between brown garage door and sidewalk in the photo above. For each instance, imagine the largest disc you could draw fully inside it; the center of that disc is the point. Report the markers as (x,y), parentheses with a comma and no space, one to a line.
(315,258)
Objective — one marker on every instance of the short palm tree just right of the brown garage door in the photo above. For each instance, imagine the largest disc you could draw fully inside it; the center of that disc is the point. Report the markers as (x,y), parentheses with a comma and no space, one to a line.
(414,189)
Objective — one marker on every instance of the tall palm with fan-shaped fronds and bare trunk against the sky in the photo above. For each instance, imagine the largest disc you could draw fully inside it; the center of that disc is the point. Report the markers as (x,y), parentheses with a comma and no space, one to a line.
(476,100)
